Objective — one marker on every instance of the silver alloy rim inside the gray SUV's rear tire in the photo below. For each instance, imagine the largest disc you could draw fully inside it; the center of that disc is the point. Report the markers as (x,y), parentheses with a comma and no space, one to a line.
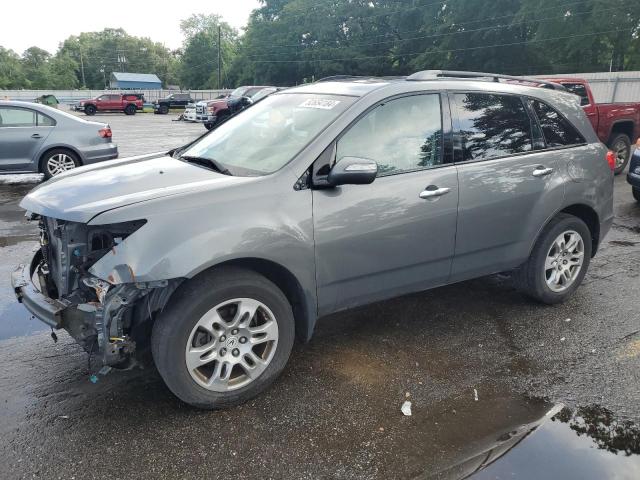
(564,261)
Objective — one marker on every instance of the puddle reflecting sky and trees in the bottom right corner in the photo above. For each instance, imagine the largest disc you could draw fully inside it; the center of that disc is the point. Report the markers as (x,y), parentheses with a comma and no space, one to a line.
(588,443)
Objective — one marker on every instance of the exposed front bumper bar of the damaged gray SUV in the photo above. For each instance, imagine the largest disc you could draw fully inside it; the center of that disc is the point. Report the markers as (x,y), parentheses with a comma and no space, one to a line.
(42,307)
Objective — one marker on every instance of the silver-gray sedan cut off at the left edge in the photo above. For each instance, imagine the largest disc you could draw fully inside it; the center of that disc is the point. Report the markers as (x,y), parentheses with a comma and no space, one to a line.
(38,138)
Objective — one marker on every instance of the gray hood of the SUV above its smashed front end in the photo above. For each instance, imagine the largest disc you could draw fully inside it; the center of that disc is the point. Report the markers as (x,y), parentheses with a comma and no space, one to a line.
(82,193)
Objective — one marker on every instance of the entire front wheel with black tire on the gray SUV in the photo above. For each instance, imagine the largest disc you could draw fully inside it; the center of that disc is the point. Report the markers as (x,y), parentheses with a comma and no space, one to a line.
(177,331)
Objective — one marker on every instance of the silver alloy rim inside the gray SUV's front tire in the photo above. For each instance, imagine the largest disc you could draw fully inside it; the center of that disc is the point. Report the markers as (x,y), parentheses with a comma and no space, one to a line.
(231,345)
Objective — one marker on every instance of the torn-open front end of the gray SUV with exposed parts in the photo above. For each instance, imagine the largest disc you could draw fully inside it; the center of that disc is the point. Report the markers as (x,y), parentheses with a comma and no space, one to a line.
(110,319)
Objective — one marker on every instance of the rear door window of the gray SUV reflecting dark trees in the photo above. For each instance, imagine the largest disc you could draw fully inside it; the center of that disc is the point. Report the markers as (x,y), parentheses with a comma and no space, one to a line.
(492,125)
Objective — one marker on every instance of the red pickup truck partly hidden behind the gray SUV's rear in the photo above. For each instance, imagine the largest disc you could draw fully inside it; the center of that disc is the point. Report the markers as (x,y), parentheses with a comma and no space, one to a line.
(617,124)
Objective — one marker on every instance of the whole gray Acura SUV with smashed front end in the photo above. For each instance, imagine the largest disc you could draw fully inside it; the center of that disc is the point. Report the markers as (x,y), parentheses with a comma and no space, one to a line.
(317,199)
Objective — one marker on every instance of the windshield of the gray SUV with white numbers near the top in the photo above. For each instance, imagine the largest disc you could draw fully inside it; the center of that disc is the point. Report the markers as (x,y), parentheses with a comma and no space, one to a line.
(265,137)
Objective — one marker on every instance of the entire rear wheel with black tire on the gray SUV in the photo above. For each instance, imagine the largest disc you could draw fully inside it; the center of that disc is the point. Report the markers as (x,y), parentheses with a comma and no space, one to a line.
(534,277)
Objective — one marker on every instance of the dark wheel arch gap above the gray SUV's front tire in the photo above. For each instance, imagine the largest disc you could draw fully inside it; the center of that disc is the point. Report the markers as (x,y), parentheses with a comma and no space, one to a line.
(302,304)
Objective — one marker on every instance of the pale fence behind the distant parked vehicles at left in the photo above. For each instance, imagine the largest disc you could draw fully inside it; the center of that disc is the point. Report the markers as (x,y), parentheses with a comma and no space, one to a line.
(72,96)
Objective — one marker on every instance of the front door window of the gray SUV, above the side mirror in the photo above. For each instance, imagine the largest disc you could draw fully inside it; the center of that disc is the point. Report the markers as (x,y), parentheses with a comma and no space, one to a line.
(401,135)
